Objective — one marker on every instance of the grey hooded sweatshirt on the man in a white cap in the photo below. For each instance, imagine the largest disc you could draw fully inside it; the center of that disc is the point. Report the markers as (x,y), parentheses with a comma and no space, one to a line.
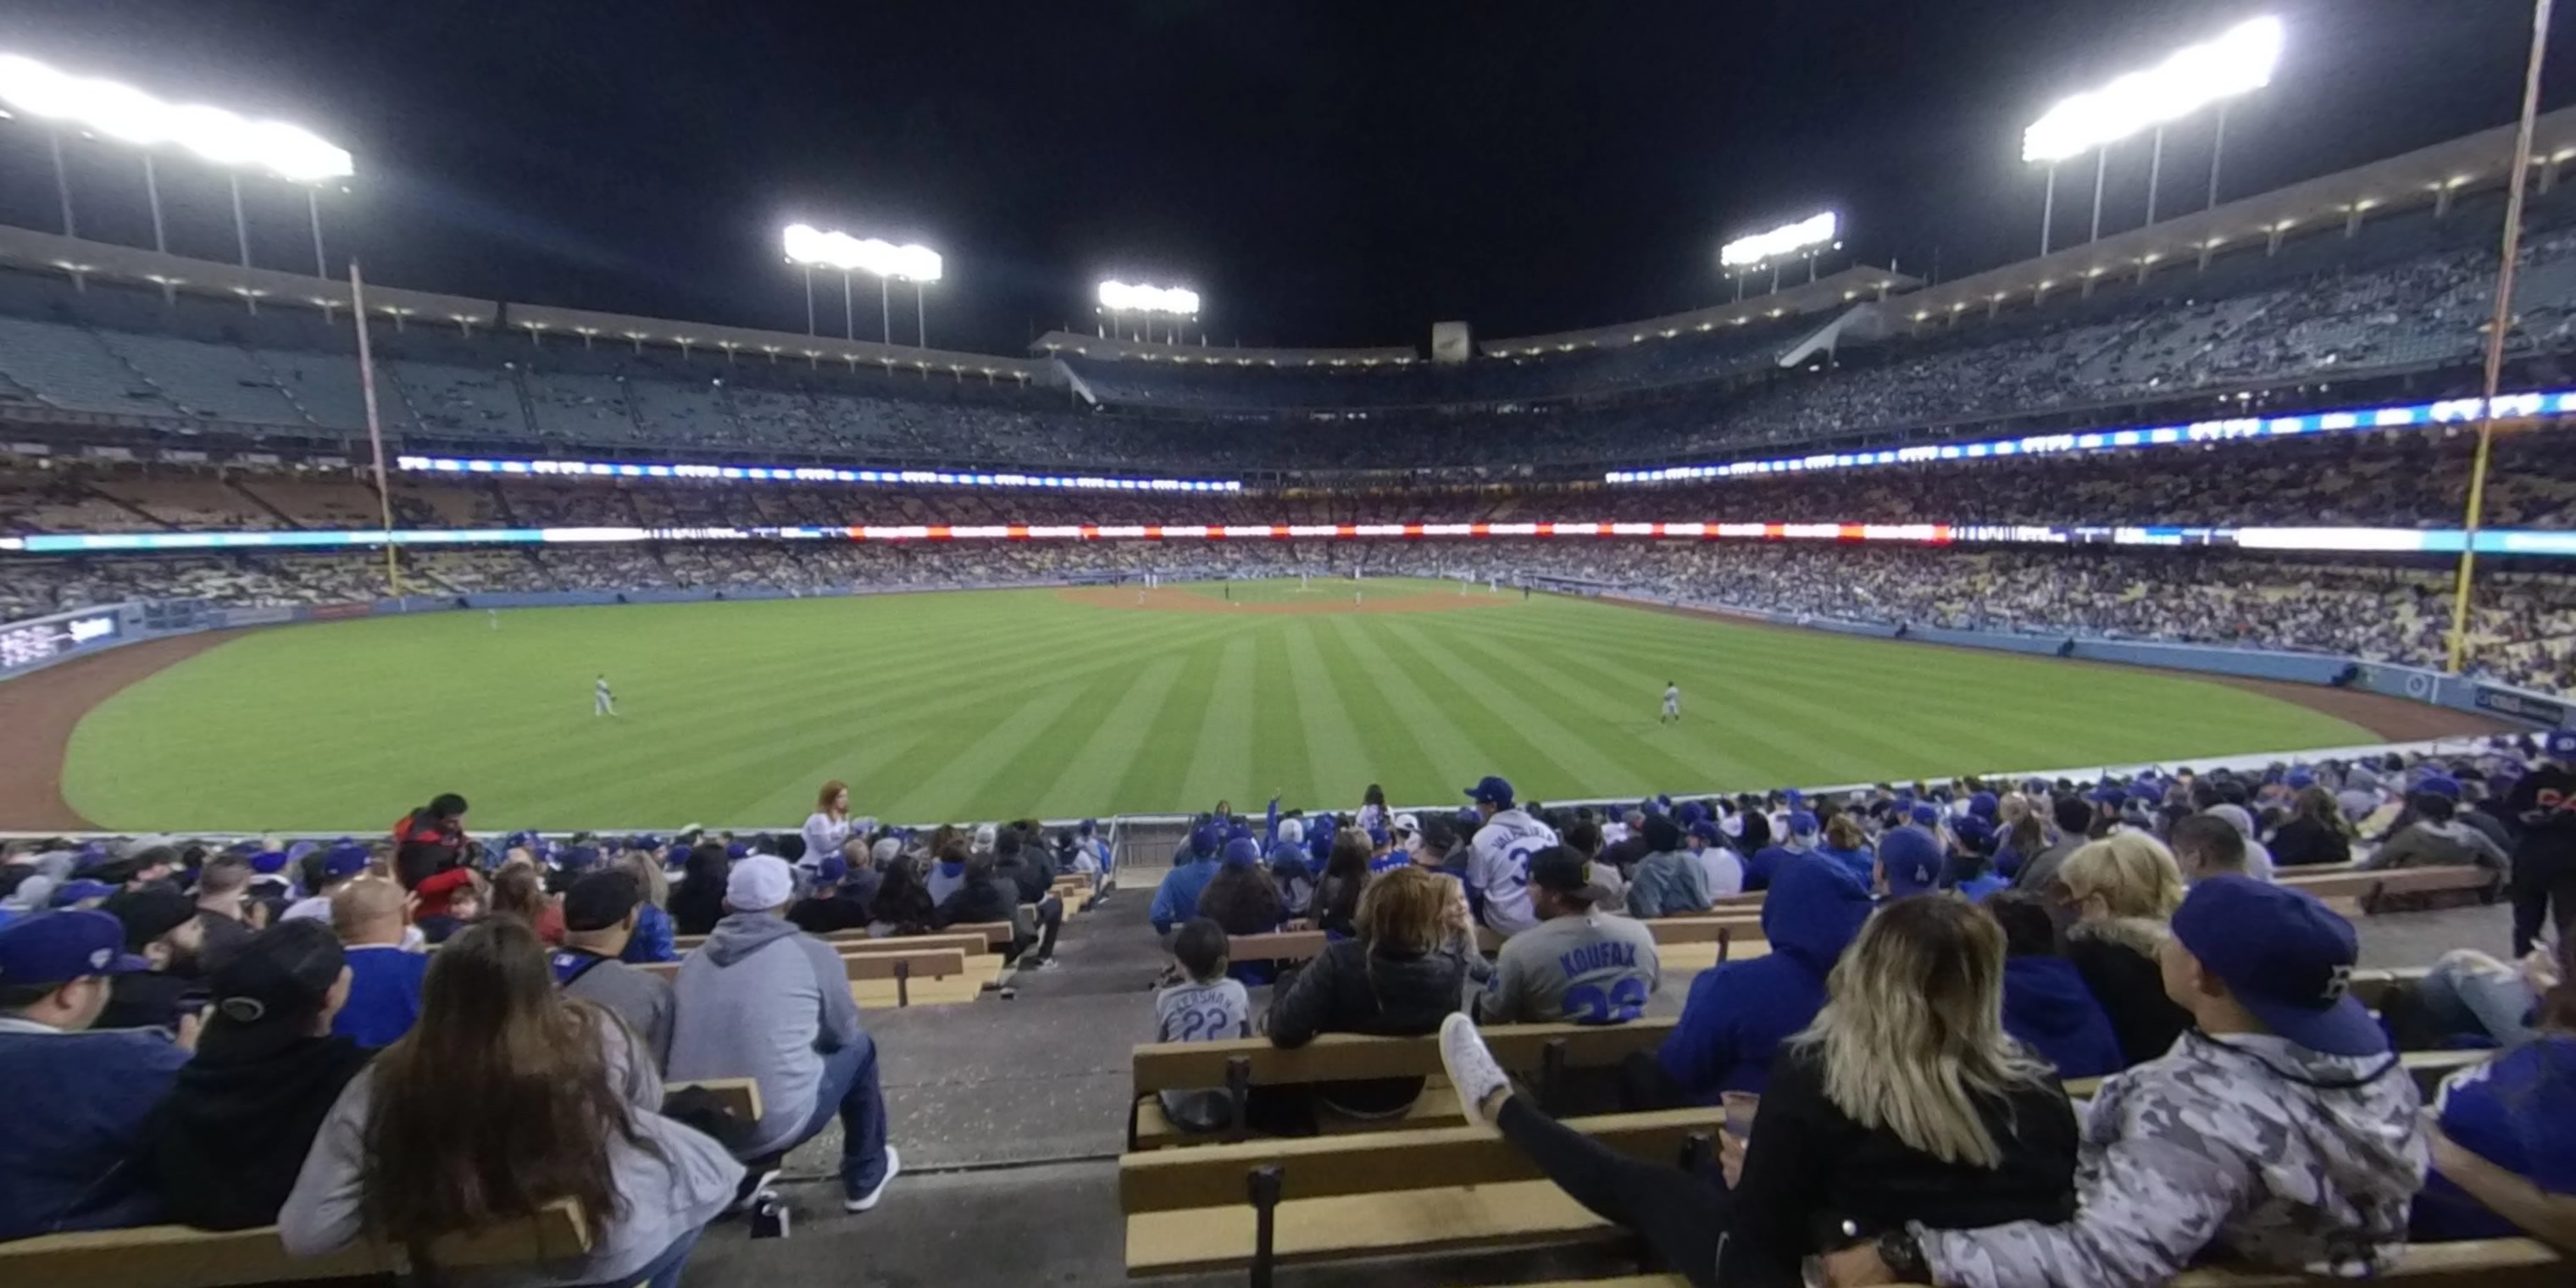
(764,1001)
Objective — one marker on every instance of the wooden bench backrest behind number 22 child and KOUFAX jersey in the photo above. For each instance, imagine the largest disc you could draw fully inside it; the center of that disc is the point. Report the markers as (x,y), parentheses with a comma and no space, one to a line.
(1163,1068)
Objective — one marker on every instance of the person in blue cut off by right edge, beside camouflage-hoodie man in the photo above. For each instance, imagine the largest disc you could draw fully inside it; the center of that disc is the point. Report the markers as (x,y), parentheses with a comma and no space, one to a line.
(2505,1140)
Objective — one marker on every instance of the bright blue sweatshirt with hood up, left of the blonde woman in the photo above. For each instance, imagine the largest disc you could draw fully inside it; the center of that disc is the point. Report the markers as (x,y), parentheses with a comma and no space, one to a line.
(1743,1011)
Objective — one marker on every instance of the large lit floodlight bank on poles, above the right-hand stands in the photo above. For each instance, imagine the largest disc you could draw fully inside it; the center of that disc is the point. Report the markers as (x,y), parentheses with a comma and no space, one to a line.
(2193,79)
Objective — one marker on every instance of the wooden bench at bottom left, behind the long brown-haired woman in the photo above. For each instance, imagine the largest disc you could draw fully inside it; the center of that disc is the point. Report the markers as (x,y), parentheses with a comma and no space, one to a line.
(197,1258)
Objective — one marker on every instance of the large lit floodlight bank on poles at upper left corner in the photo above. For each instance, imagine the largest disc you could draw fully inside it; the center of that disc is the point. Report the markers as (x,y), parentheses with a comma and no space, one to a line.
(220,138)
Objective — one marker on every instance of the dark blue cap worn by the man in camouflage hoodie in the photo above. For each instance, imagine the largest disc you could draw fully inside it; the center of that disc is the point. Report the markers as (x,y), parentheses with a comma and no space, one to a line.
(2286,957)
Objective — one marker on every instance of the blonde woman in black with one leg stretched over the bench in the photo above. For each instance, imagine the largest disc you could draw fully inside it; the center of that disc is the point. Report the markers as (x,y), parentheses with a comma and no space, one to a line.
(1905,1101)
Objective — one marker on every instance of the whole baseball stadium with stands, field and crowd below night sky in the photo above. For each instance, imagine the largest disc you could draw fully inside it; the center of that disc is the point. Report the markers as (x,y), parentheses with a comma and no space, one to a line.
(1993,782)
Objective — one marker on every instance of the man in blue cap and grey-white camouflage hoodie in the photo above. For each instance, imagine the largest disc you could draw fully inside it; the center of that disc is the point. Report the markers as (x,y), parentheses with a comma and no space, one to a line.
(2278,1132)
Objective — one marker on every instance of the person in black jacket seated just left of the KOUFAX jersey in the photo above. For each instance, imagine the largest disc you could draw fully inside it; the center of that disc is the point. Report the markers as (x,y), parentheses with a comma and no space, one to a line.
(1408,970)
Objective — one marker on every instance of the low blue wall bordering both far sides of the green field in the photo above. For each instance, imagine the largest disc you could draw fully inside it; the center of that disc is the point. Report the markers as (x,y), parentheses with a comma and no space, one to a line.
(43,643)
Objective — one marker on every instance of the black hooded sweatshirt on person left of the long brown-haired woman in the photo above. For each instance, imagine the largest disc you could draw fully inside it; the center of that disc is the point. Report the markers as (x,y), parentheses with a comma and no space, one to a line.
(223,1150)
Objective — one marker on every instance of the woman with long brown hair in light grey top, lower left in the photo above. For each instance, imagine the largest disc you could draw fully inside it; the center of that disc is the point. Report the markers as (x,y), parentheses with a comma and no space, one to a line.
(501,1101)
